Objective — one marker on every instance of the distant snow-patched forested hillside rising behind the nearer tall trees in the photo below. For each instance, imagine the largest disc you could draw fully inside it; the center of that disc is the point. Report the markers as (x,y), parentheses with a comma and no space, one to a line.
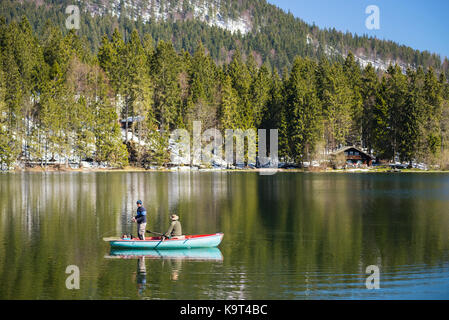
(256,27)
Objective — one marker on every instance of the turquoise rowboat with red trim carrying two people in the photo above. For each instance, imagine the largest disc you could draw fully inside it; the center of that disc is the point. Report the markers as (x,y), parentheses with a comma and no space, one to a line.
(189,241)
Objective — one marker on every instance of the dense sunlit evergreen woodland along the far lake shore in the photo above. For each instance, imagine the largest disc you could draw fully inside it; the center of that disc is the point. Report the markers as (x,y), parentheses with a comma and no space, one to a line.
(56,97)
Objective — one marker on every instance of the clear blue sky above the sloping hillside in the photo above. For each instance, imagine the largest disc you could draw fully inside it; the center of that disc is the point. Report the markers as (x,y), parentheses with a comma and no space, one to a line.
(422,25)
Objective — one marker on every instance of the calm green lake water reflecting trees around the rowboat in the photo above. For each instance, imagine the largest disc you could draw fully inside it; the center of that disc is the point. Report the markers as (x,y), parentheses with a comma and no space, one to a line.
(287,236)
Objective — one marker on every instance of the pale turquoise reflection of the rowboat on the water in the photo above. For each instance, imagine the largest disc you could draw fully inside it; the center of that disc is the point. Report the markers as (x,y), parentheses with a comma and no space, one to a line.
(199,254)
